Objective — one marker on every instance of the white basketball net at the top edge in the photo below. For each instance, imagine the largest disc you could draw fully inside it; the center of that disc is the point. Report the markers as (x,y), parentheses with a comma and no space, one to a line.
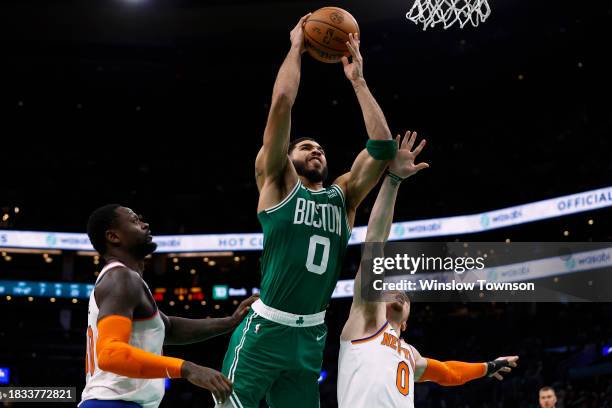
(448,12)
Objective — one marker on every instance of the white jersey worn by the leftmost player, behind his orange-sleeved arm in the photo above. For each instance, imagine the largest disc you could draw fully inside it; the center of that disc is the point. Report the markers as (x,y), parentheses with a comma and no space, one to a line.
(147,334)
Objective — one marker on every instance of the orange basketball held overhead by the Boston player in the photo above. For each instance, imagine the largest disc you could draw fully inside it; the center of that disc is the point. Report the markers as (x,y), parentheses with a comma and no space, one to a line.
(326,33)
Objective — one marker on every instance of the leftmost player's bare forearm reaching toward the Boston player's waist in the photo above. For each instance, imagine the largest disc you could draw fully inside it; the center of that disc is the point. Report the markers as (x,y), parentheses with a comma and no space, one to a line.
(180,330)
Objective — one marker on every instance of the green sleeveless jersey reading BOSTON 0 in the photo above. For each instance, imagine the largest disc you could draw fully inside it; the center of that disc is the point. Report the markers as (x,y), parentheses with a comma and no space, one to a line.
(305,239)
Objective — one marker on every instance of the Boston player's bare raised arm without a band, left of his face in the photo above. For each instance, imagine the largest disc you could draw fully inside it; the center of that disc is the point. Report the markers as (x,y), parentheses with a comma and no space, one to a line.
(271,161)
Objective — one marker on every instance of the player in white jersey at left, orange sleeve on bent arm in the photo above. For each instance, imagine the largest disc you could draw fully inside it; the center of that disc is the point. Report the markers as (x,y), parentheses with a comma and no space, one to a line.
(126,332)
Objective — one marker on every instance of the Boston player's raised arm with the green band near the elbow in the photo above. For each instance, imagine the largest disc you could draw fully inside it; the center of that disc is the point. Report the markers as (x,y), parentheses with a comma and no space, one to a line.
(371,162)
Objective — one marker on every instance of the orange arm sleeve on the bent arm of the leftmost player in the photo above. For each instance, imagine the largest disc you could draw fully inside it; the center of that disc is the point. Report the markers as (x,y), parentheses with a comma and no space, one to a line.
(117,356)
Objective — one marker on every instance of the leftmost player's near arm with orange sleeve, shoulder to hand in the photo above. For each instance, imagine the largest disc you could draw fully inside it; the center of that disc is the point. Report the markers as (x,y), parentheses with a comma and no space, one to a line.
(117,295)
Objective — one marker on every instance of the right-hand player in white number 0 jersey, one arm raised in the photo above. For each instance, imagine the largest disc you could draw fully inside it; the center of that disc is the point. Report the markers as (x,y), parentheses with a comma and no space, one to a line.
(376,368)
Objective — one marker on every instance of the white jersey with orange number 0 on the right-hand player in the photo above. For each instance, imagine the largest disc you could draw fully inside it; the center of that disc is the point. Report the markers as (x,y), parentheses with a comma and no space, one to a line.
(376,371)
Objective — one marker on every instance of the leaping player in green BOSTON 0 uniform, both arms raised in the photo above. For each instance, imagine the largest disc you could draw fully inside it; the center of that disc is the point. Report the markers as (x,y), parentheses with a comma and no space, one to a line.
(277,352)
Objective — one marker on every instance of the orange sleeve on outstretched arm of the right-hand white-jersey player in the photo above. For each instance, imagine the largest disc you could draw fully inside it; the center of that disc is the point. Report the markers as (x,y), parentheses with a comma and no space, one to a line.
(452,372)
